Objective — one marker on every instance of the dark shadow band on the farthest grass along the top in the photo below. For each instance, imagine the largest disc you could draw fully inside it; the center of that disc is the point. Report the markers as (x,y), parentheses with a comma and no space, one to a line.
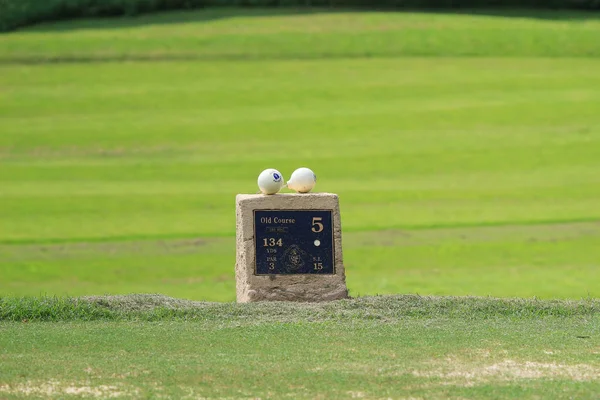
(212,14)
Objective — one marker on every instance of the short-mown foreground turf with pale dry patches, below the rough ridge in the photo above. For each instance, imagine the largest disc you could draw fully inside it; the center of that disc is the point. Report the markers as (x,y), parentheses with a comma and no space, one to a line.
(414,359)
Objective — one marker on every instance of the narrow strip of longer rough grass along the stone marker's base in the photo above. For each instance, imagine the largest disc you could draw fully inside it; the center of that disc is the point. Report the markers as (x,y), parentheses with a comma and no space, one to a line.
(382,308)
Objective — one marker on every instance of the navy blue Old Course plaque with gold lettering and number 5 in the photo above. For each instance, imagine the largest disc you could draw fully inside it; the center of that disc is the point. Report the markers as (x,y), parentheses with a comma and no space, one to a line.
(294,242)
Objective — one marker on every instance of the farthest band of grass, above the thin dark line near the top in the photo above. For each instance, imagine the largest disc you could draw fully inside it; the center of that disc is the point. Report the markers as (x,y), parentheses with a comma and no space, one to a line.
(285,34)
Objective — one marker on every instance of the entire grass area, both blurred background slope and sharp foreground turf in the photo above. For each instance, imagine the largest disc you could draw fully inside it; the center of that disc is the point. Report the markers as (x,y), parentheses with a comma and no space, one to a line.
(464,149)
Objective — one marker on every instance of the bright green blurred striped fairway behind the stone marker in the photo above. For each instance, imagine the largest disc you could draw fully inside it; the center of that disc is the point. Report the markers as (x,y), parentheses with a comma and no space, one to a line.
(475,172)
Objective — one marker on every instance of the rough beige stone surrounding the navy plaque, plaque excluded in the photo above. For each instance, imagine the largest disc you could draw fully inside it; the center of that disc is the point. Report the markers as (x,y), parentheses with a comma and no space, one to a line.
(306,288)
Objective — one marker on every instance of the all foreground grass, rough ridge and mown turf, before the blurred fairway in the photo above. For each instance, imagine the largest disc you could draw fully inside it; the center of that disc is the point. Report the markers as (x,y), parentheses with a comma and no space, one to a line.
(372,347)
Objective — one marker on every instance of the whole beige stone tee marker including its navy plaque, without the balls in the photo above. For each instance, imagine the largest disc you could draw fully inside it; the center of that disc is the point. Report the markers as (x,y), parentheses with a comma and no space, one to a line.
(289,247)
